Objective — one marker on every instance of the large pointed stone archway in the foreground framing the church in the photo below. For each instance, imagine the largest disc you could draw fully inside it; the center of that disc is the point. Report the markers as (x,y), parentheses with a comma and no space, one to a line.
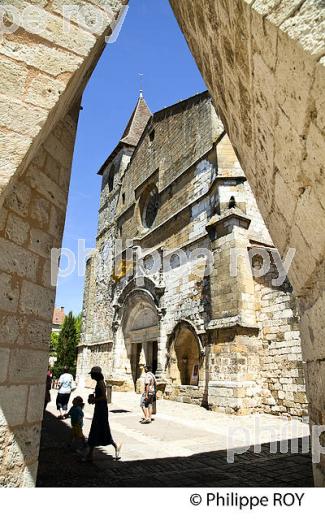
(263,72)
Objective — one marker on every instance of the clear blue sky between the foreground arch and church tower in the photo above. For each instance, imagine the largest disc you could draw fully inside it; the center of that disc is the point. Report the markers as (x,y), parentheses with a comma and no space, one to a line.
(151,43)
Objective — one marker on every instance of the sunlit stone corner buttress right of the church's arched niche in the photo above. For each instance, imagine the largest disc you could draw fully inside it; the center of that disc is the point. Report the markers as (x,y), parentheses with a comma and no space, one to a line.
(232,386)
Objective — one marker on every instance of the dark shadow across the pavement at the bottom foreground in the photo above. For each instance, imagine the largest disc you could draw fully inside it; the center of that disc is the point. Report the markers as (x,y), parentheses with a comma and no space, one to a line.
(60,467)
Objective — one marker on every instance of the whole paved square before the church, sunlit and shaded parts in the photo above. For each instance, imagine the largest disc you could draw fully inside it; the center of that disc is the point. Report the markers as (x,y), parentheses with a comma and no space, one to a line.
(185,446)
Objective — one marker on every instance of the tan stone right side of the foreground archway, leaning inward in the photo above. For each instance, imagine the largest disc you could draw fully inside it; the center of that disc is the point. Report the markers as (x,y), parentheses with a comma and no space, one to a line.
(263,63)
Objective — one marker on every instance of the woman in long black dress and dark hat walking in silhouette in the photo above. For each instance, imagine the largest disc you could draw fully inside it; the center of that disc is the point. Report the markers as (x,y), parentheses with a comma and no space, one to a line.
(100,433)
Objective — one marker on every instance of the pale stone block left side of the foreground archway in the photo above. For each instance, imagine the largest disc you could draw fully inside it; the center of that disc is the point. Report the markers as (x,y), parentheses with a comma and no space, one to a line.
(43,70)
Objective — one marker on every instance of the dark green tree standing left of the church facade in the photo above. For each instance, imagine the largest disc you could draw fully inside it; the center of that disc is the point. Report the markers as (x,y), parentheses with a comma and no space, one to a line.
(67,345)
